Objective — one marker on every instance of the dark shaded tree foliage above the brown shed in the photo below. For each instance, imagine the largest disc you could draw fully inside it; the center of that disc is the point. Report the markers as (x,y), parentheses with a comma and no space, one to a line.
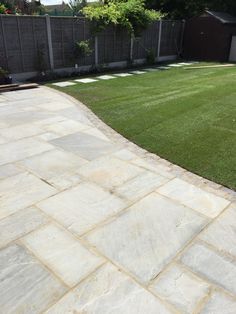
(187,8)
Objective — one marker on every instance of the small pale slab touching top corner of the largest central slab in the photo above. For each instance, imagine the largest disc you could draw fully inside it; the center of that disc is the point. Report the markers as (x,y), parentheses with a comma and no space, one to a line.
(141,185)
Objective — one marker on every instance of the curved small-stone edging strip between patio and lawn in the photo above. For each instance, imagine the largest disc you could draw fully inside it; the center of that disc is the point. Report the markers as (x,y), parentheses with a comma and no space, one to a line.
(176,170)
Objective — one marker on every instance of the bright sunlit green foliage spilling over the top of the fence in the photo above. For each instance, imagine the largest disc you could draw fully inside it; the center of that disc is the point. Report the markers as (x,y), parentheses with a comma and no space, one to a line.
(130,14)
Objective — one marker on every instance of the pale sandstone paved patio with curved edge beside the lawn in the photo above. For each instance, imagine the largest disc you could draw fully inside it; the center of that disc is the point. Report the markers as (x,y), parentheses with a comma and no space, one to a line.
(90,223)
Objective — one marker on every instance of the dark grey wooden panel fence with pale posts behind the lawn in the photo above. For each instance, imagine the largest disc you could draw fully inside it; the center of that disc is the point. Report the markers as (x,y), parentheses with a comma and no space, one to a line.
(30,43)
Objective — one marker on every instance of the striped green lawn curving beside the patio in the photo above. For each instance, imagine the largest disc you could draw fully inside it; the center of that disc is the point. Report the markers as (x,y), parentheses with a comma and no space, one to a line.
(185,116)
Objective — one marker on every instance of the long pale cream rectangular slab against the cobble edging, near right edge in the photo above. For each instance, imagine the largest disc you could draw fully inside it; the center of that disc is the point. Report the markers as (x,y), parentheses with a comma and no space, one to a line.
(194,197)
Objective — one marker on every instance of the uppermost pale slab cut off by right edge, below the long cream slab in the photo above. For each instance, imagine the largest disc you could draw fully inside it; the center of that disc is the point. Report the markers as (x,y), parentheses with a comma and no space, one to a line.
(222,232)
